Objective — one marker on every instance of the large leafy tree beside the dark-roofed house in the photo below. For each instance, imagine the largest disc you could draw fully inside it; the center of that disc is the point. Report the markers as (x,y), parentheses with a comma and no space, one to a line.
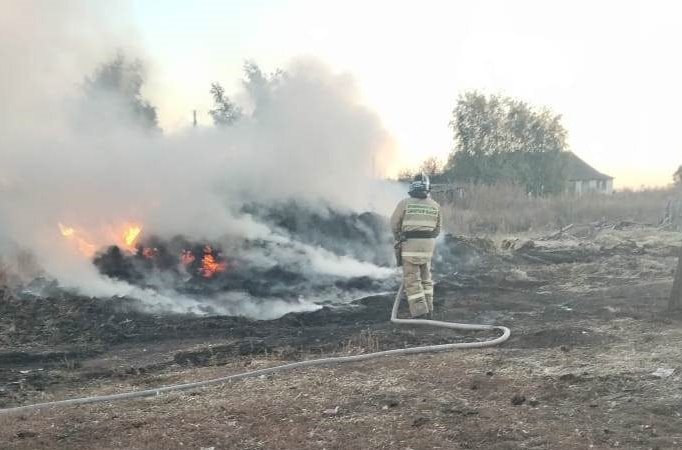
(503,139)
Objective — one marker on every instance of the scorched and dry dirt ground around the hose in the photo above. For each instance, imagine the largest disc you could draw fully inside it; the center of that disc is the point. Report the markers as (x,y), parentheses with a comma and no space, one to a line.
(594,361)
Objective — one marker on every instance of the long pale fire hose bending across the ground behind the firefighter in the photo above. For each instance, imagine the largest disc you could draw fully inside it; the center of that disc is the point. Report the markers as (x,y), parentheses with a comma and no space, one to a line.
(296,365)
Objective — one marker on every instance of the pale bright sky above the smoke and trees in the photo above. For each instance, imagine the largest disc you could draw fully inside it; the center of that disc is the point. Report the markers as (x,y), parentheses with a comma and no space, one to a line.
(611,68)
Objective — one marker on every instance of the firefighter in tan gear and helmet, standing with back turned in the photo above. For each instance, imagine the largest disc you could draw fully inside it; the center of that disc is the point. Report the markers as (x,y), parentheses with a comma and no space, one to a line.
(415,223)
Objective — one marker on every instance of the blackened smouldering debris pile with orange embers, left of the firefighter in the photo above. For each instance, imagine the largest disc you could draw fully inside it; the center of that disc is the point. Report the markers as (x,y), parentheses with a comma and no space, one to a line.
(313,253)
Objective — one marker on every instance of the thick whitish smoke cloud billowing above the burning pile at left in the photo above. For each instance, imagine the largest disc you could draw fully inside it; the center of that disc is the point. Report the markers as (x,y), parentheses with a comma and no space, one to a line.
(305,136)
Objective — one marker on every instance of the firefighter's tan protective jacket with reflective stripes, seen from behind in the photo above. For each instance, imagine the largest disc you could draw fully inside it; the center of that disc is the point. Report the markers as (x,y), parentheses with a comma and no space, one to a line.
(416,222)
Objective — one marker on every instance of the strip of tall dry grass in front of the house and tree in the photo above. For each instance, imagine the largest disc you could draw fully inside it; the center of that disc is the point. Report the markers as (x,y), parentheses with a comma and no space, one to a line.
(506,209)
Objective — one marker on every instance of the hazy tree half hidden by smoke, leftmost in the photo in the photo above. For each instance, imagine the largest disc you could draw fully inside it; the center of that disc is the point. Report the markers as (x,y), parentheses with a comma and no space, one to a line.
(114,94)
